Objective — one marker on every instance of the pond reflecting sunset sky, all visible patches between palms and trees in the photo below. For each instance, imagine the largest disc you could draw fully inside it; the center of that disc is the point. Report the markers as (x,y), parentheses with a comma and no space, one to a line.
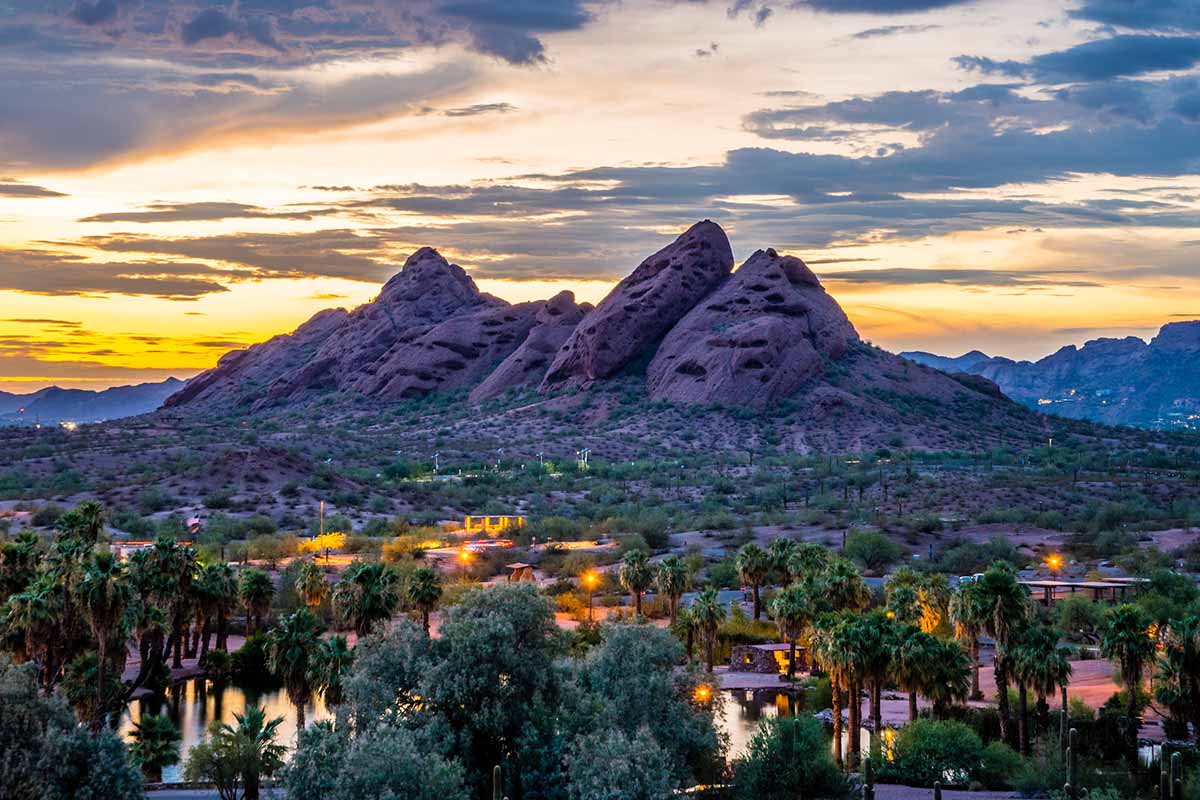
(193,706)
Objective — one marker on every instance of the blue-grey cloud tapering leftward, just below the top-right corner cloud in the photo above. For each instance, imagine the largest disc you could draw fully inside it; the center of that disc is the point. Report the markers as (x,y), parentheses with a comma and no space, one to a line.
(1123,56)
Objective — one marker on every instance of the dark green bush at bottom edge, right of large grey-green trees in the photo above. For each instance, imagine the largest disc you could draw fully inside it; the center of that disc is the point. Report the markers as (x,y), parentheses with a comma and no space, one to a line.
(788,759)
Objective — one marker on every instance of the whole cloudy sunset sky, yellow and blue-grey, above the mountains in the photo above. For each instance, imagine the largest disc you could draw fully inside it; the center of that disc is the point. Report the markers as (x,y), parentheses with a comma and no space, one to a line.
(182,179)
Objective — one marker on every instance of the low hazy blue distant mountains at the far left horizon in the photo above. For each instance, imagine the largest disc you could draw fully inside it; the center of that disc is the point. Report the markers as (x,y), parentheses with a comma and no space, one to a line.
(52,405)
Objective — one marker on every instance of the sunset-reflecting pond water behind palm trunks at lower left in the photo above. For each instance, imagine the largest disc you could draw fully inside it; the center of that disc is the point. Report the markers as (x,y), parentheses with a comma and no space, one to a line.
(193,706)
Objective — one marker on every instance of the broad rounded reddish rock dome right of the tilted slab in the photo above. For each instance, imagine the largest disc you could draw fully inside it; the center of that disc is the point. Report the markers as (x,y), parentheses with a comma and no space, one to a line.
(754,341)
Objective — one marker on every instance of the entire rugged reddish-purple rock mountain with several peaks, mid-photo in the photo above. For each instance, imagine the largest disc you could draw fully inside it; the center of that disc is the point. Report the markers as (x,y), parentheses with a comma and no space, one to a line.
(763,335)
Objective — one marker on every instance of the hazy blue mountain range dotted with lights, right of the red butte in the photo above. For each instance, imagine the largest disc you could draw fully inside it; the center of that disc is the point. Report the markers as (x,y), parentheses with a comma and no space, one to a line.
(1114,381)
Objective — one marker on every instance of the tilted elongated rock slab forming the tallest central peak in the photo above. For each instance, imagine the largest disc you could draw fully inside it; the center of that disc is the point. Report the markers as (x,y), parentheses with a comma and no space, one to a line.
(644,308)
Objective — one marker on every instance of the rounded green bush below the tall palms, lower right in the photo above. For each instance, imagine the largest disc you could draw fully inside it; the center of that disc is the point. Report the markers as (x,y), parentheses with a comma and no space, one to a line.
(928,751)
